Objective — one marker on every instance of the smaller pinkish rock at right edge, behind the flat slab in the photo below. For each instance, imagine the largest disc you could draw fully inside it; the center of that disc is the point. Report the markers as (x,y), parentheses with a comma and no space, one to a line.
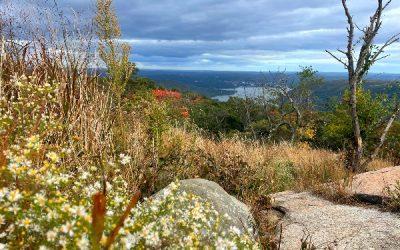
(371,186)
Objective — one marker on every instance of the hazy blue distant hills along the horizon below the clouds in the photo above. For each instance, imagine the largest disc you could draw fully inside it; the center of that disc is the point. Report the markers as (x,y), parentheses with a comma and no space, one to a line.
(224,83)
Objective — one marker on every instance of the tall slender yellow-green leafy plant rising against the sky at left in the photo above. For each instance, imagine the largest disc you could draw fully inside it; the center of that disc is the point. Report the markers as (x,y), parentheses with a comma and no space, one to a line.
(112,52)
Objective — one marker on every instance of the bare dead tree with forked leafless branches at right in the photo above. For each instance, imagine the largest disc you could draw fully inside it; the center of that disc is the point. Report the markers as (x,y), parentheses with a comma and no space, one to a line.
(357,68)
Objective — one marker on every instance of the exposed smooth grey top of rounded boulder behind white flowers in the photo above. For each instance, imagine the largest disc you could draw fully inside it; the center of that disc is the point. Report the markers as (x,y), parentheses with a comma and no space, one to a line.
(225,204)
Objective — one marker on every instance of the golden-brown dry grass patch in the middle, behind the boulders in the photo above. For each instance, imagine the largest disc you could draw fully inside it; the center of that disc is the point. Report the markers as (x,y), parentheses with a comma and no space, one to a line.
(246,168)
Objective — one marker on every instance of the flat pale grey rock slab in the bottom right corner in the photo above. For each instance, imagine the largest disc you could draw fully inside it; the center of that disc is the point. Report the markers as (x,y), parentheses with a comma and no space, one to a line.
(332,226)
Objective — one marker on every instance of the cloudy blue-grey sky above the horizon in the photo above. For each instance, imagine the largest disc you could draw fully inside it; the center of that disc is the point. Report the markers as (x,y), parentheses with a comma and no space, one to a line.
(248,35)
